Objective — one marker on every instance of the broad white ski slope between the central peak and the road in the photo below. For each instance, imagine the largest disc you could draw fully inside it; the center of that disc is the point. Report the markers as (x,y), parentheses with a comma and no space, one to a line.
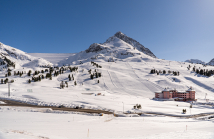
(121,81)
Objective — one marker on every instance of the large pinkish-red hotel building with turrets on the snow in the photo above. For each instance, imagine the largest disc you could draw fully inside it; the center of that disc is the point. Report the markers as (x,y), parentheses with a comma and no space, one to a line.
(173,94)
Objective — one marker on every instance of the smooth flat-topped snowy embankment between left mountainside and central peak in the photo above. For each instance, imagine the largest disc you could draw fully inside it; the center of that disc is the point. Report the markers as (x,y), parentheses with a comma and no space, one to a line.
(54,58)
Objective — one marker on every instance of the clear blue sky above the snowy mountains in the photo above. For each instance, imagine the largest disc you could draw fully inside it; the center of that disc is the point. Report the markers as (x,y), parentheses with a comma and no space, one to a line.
(171,29)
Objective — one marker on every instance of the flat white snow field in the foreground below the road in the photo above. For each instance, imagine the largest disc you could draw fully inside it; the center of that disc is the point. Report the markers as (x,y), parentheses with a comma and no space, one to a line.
(21,123)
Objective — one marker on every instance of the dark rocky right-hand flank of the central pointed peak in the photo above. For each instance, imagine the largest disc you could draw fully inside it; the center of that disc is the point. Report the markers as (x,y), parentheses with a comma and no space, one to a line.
(134,43)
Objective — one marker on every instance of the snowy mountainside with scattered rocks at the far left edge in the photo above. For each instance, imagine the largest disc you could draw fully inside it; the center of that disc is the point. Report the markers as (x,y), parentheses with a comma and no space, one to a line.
(11,56)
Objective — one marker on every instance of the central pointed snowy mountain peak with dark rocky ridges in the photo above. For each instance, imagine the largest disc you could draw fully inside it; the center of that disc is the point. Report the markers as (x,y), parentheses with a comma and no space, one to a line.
(118,47)
